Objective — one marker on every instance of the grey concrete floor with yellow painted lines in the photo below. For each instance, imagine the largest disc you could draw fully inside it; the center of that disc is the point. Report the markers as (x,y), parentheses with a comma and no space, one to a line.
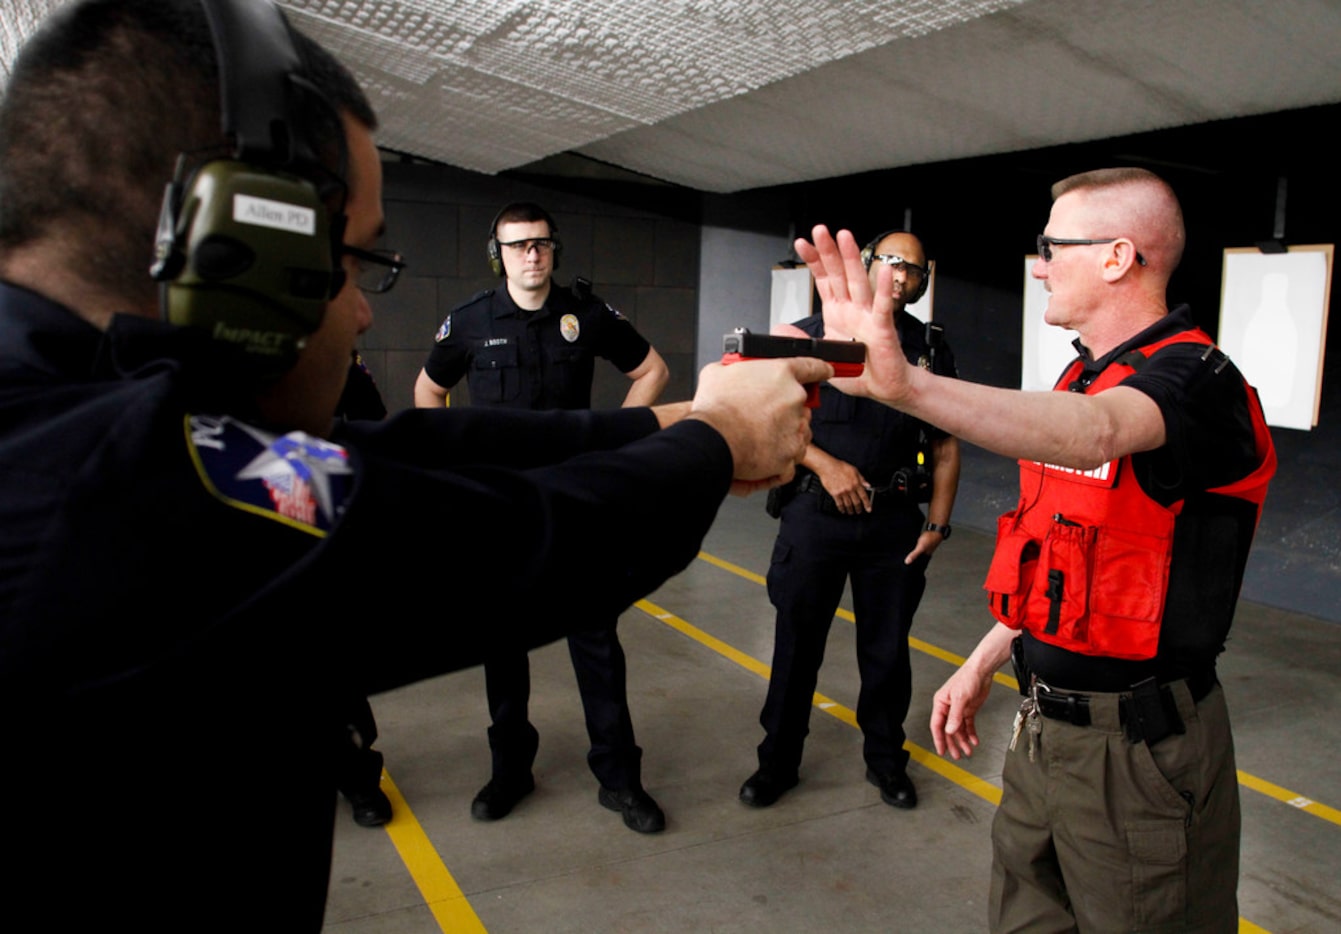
(831,855)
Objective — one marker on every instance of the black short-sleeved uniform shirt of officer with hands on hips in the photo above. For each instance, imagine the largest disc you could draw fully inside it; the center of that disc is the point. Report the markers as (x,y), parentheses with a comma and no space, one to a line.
(533,360)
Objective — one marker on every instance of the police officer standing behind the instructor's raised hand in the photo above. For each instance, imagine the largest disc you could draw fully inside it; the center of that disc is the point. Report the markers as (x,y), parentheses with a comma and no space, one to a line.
(854,512)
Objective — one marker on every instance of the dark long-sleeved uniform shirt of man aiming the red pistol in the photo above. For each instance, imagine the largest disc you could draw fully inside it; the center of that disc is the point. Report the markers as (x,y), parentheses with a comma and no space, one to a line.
(182,645)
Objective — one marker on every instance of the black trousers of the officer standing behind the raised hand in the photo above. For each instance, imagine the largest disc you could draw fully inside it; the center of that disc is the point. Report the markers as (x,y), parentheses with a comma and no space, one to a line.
(815,556)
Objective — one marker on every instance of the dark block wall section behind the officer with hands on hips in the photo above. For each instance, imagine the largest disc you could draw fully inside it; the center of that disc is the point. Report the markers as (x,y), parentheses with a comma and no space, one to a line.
(640,258)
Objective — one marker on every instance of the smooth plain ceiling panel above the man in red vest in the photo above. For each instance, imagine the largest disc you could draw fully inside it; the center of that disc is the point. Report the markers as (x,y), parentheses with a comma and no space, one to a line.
(1040,74)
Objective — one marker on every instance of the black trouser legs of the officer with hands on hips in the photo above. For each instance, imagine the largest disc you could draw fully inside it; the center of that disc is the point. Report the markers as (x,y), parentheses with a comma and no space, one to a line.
(600,668)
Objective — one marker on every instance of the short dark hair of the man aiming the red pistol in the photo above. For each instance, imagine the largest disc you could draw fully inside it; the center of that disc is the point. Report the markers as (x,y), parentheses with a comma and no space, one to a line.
(101,103)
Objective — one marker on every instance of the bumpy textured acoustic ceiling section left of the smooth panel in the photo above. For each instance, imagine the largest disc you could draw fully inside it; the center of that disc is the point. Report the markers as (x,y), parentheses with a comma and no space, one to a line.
(508,84)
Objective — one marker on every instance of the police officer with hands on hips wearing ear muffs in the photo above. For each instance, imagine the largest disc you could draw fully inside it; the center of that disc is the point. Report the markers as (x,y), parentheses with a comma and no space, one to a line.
(533,346)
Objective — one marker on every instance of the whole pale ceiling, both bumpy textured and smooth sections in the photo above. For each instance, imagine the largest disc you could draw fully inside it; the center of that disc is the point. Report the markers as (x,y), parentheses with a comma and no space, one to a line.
(723,96)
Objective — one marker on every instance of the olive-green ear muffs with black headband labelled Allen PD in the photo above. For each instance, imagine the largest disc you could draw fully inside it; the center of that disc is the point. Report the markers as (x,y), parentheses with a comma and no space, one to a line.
(249,246)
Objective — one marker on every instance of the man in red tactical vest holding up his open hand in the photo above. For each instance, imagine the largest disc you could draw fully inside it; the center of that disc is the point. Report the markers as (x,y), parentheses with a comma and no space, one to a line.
(1115,579)
